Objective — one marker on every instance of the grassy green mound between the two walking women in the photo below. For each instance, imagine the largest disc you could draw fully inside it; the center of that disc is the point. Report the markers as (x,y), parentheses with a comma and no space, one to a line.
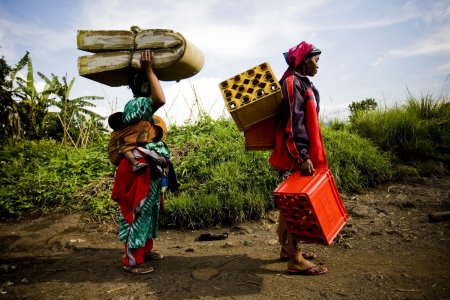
(221,183)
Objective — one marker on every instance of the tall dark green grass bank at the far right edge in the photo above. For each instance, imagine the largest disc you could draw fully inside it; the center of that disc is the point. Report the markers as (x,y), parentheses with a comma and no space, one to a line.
(417,131)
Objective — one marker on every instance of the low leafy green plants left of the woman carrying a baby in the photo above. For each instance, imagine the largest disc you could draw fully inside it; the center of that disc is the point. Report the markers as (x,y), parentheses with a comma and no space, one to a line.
(40,175)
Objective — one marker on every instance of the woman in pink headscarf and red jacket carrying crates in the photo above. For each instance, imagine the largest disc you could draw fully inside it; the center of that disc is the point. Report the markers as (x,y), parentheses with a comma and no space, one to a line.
(298,144)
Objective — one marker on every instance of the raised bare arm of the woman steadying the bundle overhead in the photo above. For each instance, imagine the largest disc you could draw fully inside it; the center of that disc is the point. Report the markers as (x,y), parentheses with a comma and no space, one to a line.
(156,91)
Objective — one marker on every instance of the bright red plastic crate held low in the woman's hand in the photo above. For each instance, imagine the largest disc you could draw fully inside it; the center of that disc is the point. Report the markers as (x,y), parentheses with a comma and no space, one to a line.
(312,207)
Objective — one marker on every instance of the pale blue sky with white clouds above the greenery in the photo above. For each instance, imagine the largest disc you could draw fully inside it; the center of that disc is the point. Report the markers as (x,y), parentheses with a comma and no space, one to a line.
(384,49)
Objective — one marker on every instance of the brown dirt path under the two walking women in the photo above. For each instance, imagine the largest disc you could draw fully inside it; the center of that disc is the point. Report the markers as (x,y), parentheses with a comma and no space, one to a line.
(388,250)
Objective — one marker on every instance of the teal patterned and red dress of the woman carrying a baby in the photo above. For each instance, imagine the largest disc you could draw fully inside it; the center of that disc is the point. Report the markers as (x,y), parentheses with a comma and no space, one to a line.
(137,194)
